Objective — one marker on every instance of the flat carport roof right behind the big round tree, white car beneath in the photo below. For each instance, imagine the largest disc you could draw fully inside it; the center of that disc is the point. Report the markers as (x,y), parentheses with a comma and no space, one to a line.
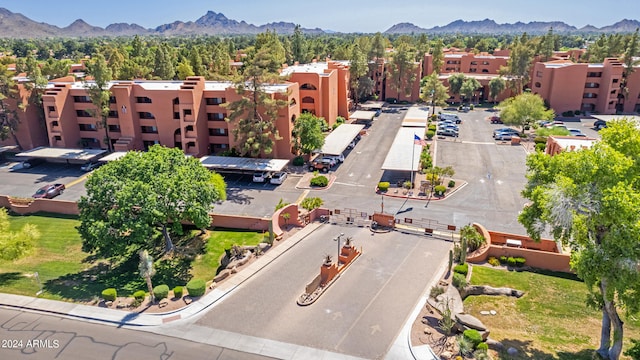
(240,165)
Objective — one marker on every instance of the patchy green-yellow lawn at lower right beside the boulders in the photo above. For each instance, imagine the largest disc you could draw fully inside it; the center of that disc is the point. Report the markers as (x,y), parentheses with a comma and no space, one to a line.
(551,321)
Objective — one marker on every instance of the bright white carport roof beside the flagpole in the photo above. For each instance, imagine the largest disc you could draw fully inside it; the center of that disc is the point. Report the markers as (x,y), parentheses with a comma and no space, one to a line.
(399,155)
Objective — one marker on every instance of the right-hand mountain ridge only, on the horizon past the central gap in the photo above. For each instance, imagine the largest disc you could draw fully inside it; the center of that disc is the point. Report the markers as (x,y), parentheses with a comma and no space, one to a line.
(488,26)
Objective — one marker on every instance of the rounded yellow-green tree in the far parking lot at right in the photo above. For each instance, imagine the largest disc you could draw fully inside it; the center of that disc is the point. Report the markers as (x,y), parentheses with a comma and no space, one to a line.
(523,109)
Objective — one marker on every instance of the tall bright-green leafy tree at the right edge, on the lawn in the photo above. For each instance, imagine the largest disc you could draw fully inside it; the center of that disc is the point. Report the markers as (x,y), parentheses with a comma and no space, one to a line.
(589,200)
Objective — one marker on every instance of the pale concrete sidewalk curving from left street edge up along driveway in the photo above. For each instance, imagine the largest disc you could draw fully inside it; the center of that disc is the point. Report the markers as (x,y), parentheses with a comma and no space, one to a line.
(124,318)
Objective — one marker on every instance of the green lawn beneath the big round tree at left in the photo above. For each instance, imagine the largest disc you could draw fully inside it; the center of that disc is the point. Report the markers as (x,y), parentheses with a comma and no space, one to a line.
(66,274)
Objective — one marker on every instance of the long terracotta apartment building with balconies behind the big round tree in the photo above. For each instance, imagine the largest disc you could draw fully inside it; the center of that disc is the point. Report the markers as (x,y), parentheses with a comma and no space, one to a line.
(185,114)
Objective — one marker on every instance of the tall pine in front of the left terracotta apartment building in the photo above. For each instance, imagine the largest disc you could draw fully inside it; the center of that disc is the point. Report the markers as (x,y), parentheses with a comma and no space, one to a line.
(255,132)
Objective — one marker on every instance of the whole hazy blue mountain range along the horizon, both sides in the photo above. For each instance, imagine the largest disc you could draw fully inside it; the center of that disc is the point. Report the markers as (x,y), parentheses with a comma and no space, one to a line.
(15,25)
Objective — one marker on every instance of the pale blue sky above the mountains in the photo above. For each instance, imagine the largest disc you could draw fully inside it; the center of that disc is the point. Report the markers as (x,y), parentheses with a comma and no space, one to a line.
(338,15)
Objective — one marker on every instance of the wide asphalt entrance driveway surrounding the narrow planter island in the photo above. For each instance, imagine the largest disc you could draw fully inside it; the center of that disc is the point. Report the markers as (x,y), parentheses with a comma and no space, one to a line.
(359,315)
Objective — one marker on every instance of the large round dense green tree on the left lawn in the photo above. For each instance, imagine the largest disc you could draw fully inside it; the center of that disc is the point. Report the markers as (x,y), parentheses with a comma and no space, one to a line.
(131,200)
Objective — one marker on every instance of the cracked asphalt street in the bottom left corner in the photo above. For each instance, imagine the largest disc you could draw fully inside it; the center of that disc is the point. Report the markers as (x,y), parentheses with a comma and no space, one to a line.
(34,336)
